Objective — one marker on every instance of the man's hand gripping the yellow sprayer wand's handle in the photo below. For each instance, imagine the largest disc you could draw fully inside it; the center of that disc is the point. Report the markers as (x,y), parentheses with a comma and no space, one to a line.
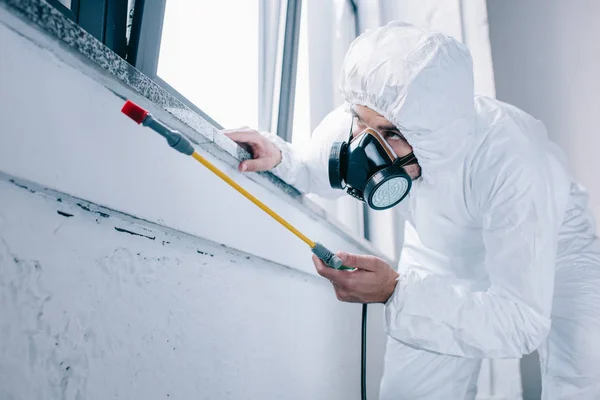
(373,281)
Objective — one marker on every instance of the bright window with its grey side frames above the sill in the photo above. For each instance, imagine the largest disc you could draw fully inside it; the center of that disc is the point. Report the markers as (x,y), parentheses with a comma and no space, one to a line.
(223,59)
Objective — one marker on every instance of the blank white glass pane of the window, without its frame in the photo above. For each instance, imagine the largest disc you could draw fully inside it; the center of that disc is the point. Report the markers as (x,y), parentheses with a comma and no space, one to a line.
(210,54)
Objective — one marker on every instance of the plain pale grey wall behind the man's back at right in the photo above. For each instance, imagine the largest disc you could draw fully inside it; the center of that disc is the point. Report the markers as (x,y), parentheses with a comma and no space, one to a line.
(547,62)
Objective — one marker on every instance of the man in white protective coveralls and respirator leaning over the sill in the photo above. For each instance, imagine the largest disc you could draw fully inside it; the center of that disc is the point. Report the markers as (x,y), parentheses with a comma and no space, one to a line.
(500,255)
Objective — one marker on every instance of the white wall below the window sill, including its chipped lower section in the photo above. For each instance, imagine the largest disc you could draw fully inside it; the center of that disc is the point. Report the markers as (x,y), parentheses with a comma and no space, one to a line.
(88,311)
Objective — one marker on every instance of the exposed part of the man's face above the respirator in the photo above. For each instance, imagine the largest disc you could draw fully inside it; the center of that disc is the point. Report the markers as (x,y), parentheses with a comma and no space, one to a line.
(365,118)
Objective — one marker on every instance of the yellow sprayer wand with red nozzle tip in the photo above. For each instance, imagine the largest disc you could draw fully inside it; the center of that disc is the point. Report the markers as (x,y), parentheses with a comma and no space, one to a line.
(180,143)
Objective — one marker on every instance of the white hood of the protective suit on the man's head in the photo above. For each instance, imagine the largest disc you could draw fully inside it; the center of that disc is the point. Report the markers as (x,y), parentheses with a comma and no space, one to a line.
(420,81)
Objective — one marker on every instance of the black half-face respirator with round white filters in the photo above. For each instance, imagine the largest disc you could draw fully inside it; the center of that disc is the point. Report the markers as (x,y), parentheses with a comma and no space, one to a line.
(368,169)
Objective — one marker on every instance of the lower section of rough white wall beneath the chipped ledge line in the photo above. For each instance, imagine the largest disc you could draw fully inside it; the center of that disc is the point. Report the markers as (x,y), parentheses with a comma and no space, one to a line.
(89,312)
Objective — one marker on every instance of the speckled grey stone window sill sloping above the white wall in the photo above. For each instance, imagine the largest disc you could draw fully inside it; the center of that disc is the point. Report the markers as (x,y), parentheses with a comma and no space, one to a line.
(121,78)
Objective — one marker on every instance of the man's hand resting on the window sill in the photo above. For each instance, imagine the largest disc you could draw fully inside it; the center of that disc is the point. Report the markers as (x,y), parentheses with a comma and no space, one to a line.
(265,155)
